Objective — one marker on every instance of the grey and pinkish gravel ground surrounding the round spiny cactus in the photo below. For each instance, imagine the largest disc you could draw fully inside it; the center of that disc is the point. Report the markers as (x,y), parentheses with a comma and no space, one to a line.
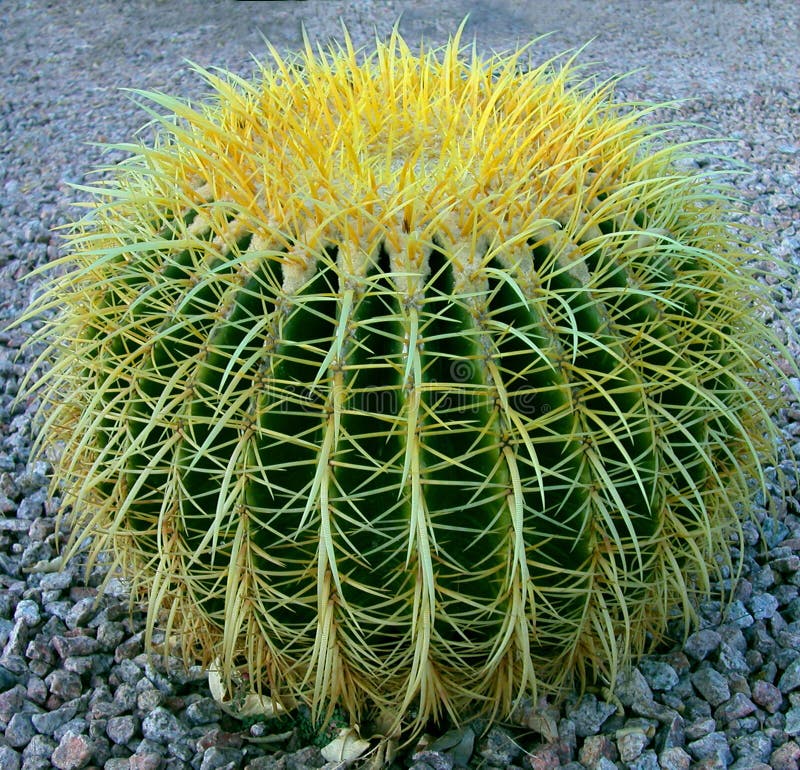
(76,689)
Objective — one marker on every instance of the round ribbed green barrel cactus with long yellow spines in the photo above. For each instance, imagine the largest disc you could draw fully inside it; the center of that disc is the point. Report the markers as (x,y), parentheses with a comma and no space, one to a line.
(416,382)
